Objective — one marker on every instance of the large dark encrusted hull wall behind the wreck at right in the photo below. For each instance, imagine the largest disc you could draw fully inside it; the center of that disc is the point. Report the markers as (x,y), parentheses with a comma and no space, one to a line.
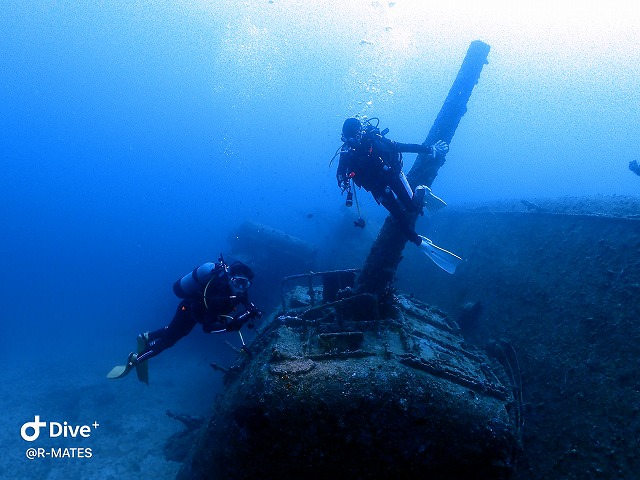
(560,279)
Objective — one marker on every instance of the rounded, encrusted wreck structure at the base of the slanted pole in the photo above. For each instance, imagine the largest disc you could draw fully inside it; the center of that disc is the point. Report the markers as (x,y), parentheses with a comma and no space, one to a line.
(338,390)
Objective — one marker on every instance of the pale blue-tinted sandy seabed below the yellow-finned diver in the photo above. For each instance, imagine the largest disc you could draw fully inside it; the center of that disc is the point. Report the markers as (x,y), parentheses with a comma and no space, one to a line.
(133,426)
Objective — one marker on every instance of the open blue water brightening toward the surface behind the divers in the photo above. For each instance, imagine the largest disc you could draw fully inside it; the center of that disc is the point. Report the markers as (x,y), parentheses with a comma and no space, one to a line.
(135,136)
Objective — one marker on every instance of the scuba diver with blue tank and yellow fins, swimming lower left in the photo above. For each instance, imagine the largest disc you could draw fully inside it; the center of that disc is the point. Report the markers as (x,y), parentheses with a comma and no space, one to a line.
(211,295)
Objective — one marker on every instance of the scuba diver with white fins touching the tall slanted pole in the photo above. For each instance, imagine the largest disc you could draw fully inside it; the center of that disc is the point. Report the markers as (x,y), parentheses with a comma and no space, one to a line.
(370,160)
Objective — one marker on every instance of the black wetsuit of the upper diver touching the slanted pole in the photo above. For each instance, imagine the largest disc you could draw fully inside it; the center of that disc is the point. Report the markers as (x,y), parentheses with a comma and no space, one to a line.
(375,164)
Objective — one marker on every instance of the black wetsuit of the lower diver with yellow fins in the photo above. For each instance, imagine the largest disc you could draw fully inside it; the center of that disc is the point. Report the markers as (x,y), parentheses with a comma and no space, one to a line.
(192,310)
